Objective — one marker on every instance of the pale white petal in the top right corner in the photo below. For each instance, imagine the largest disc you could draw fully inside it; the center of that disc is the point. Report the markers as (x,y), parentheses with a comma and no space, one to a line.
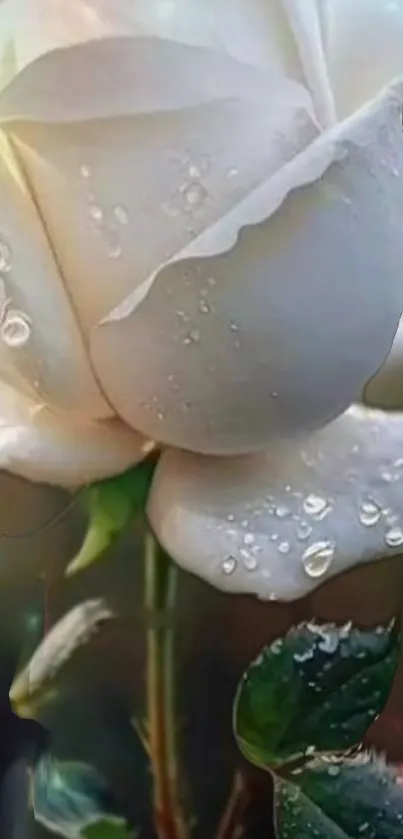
(364,48)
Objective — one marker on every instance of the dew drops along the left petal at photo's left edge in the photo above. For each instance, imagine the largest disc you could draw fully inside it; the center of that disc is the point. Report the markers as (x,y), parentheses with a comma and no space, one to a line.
(15,324)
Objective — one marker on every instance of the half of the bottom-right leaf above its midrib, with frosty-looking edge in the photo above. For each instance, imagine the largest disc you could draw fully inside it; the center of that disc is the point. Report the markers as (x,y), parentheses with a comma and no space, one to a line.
(361,796)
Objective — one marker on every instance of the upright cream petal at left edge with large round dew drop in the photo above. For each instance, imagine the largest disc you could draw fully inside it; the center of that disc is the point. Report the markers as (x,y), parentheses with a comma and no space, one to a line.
(41,348)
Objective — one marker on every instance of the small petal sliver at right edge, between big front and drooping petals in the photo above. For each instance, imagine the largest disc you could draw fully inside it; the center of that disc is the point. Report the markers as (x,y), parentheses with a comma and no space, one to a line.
(385,390)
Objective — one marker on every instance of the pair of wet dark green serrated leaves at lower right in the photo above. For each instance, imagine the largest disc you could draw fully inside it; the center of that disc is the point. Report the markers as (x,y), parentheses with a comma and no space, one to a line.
(300,708)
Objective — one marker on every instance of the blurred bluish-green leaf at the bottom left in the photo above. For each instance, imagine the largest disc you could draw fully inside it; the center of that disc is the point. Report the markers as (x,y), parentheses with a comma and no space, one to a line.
(68,797)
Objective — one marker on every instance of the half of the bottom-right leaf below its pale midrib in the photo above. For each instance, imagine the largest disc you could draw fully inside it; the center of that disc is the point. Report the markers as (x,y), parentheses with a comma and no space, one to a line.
(299,818)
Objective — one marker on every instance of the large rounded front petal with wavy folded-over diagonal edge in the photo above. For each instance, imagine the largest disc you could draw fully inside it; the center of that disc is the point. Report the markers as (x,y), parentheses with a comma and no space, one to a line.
(281,332)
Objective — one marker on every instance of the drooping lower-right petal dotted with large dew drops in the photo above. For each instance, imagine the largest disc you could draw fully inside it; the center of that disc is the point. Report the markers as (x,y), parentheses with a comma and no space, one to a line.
(279,524)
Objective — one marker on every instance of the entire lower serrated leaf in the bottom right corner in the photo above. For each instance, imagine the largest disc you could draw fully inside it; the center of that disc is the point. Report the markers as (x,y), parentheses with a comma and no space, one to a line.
(349,798)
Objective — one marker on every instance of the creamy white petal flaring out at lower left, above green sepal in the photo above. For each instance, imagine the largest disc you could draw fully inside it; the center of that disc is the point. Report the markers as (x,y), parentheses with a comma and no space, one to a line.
(40,445)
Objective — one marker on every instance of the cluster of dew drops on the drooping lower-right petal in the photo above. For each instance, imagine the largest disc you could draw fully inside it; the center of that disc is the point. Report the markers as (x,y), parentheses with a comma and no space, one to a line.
(318,556)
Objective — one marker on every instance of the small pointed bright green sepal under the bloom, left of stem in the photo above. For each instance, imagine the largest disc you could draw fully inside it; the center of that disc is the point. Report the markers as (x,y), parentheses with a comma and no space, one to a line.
(112,505)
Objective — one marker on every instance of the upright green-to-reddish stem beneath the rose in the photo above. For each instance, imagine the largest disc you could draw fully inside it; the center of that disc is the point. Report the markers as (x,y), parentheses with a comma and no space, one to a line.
(160,595)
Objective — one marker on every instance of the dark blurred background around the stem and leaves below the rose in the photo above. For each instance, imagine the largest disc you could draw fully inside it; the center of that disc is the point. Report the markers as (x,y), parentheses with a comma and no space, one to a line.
(218,635)
